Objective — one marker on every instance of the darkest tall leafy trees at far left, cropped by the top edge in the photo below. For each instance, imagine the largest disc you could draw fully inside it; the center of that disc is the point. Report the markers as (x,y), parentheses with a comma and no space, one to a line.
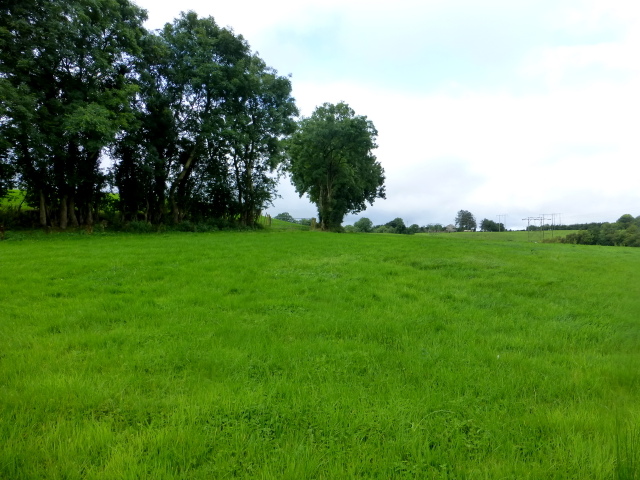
(65,77)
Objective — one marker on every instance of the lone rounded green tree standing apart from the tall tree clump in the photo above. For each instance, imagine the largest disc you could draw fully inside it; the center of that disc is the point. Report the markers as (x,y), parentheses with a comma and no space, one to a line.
(331,161)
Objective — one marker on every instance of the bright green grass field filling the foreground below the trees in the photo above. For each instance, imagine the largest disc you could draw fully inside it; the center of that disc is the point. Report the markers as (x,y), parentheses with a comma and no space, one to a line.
(299,355)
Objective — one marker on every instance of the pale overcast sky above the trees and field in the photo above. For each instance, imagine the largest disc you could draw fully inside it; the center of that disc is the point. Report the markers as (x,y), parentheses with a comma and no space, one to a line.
(516,107)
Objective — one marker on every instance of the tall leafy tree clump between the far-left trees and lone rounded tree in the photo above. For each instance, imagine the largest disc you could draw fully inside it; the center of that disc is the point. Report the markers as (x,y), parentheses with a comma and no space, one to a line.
(225,114)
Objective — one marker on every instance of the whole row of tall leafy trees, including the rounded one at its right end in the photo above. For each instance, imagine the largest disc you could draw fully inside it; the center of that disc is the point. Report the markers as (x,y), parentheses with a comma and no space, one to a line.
(194,124)
